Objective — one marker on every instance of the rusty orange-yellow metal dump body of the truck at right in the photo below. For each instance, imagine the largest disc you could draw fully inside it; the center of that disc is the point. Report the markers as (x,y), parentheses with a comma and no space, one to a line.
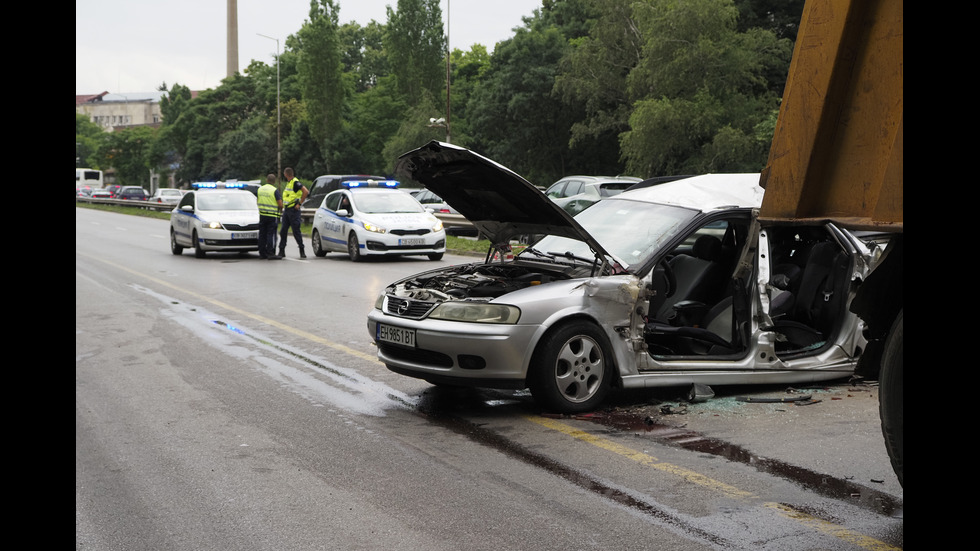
(837,153)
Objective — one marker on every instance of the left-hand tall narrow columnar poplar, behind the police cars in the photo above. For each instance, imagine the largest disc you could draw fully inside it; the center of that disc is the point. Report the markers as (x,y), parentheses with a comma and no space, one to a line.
(320,71)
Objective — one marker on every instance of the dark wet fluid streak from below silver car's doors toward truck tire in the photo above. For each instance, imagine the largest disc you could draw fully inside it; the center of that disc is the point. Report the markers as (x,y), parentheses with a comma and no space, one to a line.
(821,483)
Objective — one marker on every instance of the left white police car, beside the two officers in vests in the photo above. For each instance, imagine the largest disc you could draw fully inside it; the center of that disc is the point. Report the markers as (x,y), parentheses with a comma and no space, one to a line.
(215,217)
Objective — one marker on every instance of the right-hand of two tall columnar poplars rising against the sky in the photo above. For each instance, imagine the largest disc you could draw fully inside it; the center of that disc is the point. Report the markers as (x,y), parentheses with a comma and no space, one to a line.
(416,48)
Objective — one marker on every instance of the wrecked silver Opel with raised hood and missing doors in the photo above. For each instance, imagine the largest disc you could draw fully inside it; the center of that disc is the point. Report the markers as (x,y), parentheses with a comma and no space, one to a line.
(673,284)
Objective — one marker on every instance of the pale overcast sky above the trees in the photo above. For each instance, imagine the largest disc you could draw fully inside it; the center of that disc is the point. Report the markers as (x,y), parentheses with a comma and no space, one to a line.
(125,46)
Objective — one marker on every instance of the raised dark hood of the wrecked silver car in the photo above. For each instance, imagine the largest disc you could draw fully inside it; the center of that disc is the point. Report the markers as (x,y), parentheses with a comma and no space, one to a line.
(501,204)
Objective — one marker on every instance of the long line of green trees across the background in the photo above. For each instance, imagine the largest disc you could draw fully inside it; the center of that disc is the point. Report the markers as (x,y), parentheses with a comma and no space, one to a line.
(639,87)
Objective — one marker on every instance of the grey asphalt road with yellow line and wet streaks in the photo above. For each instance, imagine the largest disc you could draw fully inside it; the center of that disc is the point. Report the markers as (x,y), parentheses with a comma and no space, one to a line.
(235,403)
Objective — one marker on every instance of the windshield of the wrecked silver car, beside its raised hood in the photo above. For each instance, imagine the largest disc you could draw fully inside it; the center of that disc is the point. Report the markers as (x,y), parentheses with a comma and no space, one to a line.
(632,231)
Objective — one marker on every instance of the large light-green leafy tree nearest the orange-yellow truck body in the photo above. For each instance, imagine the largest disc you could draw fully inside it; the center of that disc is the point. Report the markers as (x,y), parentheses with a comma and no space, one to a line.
(700,90)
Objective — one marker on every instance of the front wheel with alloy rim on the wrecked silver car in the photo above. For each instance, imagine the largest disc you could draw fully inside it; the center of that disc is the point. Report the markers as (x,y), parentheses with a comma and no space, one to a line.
(571,368)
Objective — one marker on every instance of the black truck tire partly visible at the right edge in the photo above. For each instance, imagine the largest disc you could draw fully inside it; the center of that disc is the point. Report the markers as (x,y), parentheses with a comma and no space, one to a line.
(890,395)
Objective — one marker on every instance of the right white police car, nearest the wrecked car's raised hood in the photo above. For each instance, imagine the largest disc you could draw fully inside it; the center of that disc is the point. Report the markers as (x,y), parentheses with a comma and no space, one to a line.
(373,217)
